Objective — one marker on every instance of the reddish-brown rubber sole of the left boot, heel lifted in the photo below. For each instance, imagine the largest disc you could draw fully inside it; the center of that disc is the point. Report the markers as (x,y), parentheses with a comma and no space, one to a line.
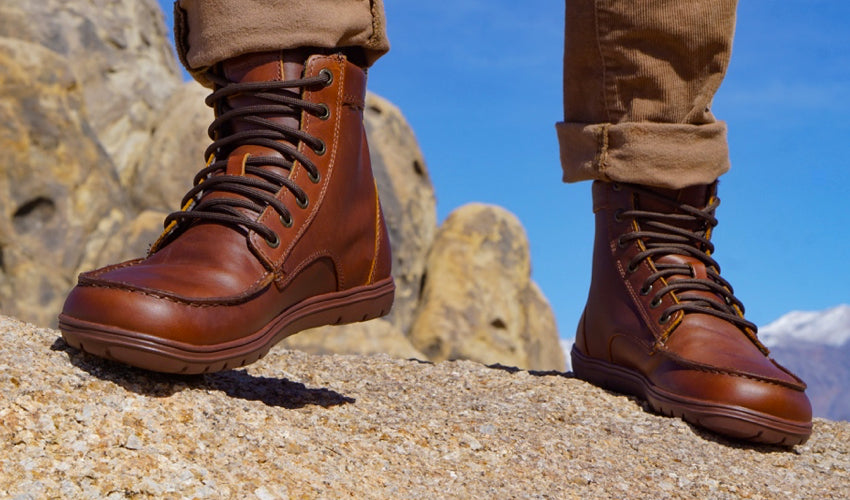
(168,356)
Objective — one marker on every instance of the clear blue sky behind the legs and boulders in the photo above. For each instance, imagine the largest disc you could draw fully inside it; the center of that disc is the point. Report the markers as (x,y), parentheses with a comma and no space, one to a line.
(480,83)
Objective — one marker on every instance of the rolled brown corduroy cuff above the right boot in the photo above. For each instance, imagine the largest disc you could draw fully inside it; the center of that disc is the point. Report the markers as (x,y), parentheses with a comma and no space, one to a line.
(663,155)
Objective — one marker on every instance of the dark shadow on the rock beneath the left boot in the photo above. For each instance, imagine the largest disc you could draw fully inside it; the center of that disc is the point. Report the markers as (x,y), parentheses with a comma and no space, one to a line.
(281,393)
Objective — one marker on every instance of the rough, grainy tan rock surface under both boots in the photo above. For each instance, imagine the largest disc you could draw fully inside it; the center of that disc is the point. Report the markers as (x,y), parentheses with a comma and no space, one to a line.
(302,426)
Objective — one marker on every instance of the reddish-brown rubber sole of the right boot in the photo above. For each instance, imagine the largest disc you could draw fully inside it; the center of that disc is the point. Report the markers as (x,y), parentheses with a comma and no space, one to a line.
(732,421)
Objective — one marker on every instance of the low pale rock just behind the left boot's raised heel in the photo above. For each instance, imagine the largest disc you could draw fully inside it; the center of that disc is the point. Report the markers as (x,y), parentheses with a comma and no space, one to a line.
(371,337)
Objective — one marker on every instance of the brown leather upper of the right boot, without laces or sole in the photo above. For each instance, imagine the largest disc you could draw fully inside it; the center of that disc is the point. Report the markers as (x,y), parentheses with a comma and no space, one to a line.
(695,355)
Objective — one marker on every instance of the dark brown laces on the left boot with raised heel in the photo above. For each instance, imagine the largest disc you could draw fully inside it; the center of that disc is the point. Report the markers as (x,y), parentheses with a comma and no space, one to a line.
(256,189)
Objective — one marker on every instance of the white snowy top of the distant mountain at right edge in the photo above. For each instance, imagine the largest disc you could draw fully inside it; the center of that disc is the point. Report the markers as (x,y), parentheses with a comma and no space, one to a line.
(829,327)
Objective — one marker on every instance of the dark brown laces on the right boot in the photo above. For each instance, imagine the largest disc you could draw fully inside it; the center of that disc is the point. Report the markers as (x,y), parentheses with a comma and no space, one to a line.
(686,233)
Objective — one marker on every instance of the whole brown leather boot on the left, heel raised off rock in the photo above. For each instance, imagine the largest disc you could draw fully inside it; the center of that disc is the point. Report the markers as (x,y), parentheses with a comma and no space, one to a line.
(282,231)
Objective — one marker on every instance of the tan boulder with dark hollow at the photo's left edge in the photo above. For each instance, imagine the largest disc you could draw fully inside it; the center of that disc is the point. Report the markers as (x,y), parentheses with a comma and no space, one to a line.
(56,182)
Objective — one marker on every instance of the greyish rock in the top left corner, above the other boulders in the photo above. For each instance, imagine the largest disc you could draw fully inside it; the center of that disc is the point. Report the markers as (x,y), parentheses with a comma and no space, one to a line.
(120,55)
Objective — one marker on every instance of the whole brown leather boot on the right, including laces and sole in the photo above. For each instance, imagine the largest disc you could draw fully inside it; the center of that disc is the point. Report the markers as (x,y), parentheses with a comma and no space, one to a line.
(661,324)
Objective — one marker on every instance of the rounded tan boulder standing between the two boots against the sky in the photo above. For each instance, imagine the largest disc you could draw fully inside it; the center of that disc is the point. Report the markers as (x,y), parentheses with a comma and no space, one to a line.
(475,302)
